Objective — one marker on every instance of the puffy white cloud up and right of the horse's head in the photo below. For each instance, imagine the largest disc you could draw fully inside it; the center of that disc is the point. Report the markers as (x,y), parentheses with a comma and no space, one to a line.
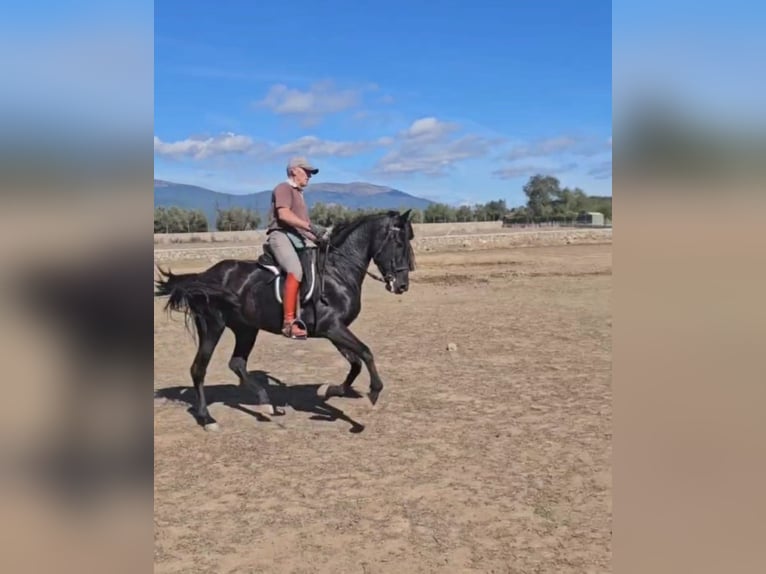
(427,147)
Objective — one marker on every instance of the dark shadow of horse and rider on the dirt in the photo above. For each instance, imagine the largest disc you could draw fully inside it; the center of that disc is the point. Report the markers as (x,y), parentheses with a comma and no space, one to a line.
(299,397)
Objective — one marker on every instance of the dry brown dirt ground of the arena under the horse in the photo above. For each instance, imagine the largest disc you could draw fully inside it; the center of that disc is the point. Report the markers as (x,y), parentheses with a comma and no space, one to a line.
(493,457)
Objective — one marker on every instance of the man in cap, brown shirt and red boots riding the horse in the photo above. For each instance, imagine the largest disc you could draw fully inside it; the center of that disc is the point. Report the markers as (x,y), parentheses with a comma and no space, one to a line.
(289,229)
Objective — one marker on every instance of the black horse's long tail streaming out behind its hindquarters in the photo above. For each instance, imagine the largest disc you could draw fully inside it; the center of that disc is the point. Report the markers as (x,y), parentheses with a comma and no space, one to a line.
(193,293)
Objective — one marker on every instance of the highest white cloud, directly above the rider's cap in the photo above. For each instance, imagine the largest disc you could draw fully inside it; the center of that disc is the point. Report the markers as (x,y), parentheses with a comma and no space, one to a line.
(320,99)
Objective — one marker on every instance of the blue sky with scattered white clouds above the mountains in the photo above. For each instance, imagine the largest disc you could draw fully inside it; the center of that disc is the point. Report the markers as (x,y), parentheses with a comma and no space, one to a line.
(458,102)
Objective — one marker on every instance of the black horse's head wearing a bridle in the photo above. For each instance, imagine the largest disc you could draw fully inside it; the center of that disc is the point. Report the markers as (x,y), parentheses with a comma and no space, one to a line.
(393,253)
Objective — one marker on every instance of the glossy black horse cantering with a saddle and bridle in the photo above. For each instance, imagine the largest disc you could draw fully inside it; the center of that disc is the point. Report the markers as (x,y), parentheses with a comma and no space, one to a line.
(242,295)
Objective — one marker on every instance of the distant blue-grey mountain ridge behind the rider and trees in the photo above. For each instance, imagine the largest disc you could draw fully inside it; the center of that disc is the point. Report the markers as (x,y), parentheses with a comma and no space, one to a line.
(355,195)
